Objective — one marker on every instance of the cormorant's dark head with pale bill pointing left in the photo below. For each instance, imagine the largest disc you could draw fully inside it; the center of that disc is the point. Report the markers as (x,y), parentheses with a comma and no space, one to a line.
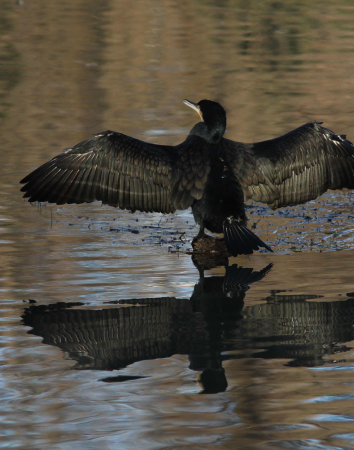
(214,117)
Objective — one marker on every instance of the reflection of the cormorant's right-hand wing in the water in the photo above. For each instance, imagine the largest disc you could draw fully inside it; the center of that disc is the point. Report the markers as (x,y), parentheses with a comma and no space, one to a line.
(289,326)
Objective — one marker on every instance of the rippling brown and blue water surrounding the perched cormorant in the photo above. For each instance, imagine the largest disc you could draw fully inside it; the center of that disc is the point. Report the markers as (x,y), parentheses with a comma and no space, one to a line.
(109,336)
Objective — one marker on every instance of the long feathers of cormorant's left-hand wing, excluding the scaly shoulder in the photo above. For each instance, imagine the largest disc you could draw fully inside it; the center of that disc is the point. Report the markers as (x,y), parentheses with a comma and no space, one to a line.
(111,167)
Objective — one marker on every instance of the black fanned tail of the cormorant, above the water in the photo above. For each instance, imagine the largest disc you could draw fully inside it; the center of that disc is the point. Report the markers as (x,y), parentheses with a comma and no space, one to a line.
(240,240)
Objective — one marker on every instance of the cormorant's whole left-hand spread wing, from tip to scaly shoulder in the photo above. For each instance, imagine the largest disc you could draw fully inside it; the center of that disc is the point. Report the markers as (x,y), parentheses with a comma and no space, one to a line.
(123,172)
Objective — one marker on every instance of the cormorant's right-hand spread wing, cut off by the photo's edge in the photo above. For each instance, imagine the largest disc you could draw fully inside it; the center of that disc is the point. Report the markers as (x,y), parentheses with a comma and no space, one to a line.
(294,168)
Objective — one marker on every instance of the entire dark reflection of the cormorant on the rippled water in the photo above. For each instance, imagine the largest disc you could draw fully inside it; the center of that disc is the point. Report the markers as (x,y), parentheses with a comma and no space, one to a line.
(207,327)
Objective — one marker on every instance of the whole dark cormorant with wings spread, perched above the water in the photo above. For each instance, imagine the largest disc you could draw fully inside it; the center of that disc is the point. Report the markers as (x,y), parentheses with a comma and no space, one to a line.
(207,172)
